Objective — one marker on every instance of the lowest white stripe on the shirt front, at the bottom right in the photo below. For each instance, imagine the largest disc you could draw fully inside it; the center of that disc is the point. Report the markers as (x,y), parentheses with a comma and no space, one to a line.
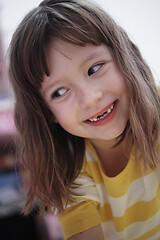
(133,231)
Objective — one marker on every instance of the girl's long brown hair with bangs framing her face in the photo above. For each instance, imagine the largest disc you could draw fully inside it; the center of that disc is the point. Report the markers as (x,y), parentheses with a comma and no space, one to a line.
(52,157)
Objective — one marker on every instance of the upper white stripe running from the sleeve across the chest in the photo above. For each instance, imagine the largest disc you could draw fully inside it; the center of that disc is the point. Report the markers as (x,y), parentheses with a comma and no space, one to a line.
(136,192)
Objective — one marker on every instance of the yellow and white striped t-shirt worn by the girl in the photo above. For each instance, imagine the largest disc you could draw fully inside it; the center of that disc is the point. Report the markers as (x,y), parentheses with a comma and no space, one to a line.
(127,206)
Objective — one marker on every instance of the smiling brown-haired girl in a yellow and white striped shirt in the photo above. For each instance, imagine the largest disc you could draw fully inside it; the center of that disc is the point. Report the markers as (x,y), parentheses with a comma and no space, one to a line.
(87,114)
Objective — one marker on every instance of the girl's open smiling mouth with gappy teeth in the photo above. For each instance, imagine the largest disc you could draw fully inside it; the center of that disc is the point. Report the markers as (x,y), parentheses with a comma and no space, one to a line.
(103,114)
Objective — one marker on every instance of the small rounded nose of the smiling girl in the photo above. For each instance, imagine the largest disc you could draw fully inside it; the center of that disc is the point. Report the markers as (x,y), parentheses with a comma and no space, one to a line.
(90,96)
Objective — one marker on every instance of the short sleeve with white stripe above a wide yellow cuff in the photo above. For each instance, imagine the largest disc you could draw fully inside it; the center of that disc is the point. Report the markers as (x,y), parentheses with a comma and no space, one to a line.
(83,214)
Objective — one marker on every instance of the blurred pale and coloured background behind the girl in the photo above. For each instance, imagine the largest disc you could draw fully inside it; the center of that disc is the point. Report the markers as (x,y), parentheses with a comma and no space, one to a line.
(141,20)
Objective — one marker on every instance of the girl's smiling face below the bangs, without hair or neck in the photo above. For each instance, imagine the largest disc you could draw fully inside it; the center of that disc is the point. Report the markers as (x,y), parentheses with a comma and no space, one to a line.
(85,90)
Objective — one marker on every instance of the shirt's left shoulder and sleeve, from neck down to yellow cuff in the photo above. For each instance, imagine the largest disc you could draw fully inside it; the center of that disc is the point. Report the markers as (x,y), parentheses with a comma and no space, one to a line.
(83,213)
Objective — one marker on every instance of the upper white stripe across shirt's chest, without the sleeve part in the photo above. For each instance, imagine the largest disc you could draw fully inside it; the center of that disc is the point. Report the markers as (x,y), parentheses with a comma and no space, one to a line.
(142,189)
